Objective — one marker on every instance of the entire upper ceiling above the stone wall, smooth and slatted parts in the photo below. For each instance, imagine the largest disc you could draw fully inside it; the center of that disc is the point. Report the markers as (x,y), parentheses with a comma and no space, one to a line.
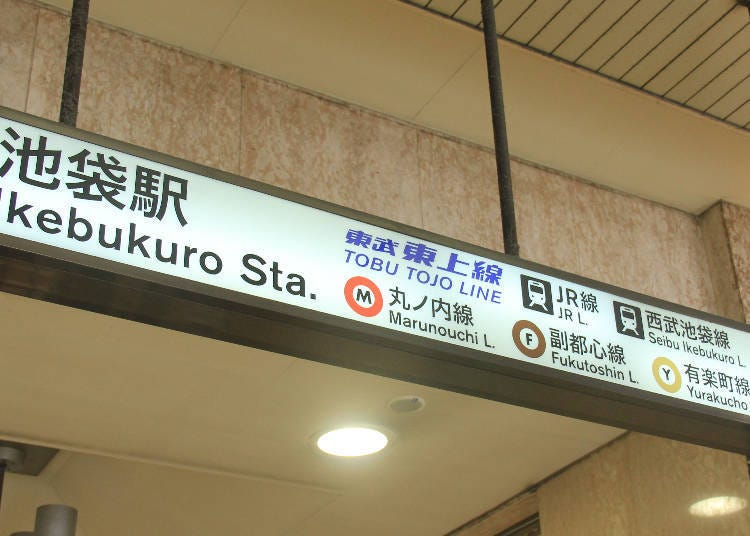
(400,59)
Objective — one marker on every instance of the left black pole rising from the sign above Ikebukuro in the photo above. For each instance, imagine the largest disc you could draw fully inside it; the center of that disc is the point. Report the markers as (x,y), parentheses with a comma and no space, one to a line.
(74,63)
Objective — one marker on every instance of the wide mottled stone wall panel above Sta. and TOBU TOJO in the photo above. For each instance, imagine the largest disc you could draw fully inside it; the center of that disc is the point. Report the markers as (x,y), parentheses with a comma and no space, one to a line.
(330,151)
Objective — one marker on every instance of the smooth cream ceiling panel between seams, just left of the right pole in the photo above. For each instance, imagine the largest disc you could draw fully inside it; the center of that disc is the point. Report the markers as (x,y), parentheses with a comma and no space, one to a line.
(342,49)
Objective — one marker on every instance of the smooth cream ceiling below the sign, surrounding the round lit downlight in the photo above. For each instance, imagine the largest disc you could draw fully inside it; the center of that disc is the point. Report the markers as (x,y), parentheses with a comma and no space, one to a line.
(166,433)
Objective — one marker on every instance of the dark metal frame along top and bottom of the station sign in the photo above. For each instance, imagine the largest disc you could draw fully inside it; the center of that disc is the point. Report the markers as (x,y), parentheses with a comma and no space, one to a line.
(68,278)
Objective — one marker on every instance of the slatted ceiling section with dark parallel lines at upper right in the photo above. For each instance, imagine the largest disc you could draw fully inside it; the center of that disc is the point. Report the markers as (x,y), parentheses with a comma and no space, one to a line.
(695,53)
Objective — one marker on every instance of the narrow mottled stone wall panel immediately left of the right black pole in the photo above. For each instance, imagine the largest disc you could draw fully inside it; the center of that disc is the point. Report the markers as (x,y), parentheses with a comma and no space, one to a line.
(459,191)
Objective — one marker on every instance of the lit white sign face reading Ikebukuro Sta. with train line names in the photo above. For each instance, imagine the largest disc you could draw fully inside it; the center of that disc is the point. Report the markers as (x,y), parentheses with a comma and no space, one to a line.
(94,200)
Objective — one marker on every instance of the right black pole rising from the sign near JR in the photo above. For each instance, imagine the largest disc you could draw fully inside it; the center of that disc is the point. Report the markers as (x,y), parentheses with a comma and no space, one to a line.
(502,158)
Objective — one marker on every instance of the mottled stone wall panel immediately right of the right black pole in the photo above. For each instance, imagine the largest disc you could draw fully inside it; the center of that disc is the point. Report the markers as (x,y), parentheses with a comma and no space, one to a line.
(618,239)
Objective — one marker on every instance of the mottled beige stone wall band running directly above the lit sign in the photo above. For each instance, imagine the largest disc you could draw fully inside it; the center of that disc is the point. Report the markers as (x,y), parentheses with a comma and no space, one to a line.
(164,99)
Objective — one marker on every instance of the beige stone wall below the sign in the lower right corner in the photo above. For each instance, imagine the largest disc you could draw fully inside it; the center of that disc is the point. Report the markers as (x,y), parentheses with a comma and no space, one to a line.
(643,486)
